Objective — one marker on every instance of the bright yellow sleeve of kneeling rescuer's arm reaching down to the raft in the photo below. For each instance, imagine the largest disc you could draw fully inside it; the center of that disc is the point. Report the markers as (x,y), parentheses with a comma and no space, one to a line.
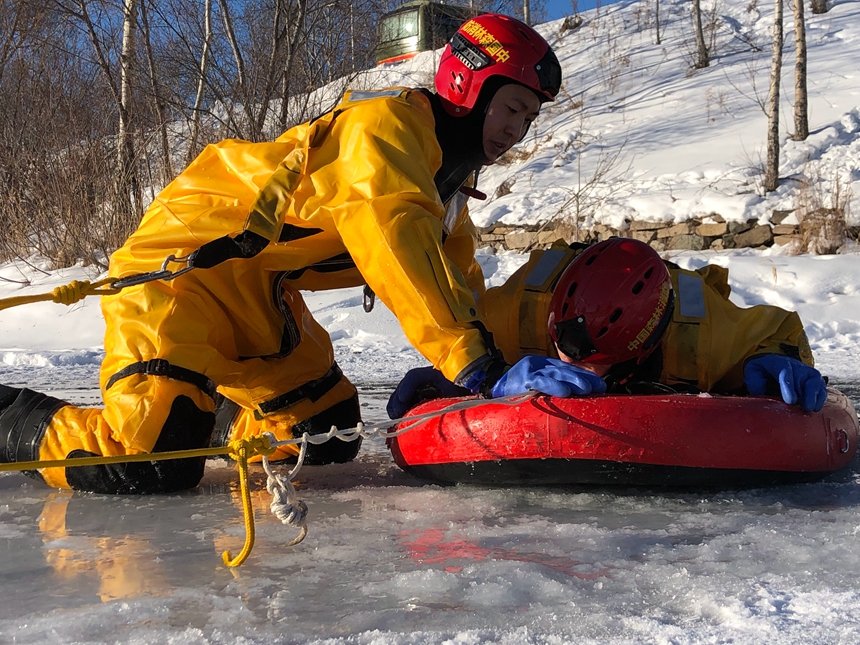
(380,158)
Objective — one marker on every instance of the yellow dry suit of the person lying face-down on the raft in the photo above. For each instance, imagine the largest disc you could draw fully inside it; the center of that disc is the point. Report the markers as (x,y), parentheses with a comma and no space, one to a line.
(705,345)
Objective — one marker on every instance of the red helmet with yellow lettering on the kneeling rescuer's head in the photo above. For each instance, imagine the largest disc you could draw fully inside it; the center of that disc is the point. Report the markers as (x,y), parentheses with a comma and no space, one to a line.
(495,45)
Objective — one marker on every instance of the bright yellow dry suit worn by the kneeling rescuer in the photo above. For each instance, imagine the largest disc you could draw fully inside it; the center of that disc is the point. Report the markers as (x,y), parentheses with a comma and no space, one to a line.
(345,200)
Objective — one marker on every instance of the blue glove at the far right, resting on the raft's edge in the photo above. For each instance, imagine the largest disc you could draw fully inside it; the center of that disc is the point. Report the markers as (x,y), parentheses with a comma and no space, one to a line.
(798,382)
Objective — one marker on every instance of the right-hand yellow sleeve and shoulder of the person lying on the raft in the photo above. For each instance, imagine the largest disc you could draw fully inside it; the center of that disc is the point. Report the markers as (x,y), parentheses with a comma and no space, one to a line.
(710,338)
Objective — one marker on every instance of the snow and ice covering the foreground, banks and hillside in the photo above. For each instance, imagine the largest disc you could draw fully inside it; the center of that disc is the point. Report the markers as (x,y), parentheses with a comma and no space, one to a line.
(390,560)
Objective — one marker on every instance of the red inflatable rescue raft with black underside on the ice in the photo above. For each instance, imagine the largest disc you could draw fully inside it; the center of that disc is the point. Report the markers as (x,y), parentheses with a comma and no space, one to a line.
(650,440)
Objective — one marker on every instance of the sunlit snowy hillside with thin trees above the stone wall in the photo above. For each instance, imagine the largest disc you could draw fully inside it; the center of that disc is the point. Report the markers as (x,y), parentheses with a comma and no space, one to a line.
(637,133)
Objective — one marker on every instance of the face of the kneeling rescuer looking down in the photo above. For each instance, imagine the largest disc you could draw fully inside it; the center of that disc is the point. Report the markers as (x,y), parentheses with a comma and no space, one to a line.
(509,115)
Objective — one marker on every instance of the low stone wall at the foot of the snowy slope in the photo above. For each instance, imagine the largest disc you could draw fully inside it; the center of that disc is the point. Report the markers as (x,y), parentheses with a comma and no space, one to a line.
(695,234)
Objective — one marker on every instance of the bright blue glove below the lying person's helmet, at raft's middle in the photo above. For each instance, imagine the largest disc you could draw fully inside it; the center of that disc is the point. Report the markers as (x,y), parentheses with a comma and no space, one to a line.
(549,376)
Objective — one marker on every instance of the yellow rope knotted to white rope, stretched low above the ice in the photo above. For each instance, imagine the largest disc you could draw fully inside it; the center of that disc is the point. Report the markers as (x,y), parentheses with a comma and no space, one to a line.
(286,505)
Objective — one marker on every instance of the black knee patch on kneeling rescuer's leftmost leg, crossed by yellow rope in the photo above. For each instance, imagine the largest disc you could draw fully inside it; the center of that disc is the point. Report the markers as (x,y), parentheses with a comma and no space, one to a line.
(187,427)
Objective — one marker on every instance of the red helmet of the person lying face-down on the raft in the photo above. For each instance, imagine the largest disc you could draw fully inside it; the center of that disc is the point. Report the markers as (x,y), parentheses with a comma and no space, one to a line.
(612,303)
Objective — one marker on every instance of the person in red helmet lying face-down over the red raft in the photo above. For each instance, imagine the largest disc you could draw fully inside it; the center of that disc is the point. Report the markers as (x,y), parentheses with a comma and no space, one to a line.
(617,311)
